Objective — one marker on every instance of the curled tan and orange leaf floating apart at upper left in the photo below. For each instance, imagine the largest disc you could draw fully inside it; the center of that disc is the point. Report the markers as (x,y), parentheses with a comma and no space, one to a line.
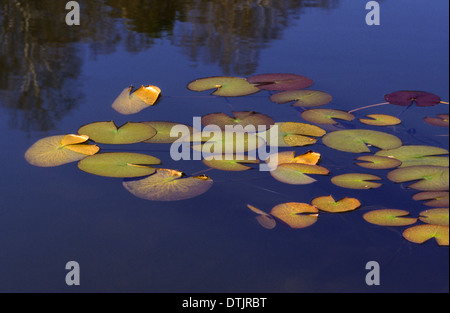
(128,103)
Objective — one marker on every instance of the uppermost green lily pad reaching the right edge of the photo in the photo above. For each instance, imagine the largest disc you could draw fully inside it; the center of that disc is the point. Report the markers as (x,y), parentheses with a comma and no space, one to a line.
(417,155)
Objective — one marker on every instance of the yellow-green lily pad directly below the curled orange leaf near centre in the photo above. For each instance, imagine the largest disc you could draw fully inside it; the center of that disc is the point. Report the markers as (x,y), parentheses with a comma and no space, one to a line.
(297,174)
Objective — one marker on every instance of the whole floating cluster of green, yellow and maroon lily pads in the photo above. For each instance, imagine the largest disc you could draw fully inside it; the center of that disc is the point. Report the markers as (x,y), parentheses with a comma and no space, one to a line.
(422,168)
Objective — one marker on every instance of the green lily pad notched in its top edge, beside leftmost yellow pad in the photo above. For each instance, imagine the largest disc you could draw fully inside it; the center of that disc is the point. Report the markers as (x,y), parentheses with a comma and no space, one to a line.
(109,133)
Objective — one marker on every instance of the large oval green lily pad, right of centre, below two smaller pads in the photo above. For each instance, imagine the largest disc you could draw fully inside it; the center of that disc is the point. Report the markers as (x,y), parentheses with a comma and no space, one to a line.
(357,140)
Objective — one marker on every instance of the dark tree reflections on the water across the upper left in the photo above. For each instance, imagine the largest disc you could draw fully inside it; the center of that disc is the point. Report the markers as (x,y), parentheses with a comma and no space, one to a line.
(40,59)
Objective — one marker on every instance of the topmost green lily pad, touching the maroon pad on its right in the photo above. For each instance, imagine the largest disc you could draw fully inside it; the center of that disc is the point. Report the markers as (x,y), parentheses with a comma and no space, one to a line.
(226,86)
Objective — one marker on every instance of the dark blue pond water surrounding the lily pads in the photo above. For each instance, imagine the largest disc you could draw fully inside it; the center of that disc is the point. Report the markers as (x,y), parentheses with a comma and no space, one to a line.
(212,243)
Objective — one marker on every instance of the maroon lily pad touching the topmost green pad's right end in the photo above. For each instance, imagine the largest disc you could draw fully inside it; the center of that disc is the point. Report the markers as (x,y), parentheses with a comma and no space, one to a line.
(281,82)
